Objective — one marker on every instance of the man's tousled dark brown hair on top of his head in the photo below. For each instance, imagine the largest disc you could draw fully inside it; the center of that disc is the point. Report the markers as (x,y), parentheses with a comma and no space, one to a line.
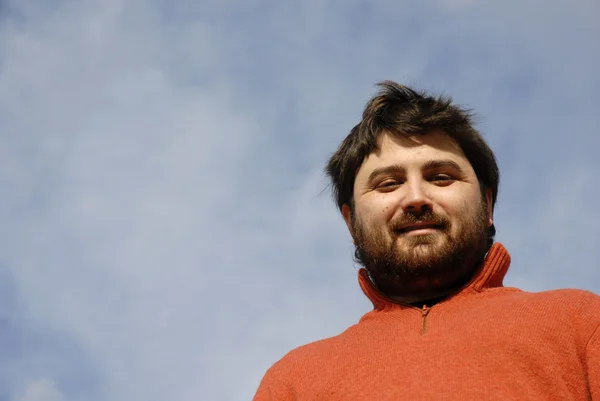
(400,110)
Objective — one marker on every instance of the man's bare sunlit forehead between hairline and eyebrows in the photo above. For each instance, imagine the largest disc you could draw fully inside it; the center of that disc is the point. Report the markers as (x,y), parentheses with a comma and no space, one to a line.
(405,151)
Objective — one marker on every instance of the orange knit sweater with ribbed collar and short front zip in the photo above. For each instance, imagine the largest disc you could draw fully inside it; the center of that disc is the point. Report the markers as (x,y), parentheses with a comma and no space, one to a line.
(487,342)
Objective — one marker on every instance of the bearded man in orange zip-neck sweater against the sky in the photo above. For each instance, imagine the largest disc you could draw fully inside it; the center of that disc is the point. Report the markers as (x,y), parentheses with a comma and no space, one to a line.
(417,185)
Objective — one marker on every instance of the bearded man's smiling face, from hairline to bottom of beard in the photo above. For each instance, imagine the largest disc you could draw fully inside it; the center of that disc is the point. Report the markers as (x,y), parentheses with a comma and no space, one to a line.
(419,221)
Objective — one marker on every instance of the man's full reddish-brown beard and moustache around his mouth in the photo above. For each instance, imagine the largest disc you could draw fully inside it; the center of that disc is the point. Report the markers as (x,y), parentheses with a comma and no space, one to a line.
(422,266)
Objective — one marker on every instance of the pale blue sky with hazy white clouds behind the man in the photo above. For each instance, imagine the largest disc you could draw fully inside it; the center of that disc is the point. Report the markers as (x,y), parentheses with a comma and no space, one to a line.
(166,229)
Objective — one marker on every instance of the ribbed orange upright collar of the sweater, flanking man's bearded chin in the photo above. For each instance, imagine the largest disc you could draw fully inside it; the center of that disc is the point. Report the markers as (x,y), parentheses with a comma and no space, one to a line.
(490,274)
